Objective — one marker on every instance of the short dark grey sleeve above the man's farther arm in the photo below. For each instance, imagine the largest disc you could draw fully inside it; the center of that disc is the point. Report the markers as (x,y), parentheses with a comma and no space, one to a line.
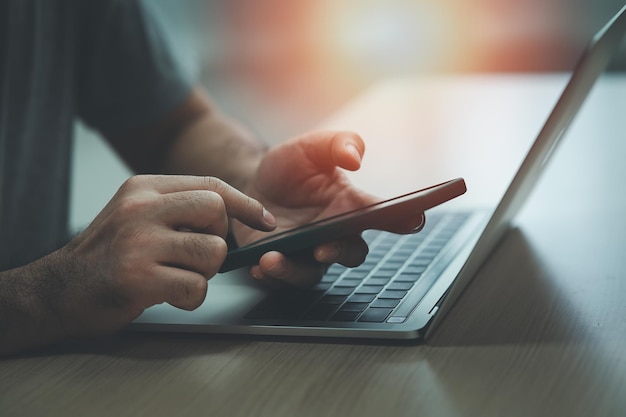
(127,74)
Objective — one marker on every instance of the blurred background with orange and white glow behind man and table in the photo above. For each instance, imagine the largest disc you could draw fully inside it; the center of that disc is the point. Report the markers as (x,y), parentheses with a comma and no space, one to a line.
(283,66)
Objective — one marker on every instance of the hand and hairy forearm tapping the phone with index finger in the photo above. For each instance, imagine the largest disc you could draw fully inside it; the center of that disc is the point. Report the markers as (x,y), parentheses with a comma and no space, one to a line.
(159,239)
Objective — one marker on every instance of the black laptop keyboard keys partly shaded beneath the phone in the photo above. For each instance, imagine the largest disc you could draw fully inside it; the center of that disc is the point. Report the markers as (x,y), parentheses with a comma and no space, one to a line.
(398,272)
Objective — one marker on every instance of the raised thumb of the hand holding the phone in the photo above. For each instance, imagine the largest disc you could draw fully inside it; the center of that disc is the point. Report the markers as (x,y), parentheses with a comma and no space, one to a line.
(334,149)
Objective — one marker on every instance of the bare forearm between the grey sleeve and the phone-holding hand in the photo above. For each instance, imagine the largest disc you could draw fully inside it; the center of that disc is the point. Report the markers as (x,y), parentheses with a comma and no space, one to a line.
(193,139)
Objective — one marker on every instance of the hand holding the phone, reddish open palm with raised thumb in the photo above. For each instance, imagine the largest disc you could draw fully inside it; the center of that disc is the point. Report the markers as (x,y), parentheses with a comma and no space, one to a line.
(300,182)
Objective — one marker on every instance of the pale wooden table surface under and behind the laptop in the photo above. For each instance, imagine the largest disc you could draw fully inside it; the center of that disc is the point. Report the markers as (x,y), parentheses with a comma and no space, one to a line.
(541,330)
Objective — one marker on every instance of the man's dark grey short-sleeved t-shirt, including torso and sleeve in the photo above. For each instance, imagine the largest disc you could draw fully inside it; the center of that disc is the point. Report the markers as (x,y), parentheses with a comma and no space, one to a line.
(101,60)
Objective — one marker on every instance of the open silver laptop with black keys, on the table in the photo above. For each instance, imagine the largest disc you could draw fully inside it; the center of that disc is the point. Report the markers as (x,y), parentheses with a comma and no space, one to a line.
(408,282)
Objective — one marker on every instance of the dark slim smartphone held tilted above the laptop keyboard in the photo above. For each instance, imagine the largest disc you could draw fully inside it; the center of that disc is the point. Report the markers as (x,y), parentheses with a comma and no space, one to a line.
(375,216)
